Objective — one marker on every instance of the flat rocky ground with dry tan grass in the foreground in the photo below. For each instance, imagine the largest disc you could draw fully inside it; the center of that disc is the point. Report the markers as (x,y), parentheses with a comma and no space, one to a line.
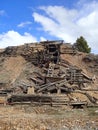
(25,117)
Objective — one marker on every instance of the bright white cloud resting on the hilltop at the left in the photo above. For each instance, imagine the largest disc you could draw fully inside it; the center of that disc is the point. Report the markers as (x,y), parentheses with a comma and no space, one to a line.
(12,38)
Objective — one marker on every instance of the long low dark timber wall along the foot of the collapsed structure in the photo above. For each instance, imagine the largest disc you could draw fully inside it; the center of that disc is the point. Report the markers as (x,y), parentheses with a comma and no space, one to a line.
(52,100)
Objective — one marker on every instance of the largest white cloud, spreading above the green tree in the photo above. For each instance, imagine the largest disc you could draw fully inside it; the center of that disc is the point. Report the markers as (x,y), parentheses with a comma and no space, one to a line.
(69,24)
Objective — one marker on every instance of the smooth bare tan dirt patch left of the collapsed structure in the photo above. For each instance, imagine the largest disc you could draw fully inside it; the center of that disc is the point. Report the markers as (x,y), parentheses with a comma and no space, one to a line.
(11,68)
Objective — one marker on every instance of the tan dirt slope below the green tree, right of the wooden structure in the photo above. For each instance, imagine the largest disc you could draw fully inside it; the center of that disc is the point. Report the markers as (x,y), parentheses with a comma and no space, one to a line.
(90,68)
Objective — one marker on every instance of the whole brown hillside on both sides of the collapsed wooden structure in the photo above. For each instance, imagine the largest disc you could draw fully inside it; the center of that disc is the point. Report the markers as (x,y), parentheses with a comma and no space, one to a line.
(19,71)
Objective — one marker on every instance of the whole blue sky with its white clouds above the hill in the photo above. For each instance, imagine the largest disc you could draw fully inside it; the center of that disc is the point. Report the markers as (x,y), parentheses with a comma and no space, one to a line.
(24,21)
